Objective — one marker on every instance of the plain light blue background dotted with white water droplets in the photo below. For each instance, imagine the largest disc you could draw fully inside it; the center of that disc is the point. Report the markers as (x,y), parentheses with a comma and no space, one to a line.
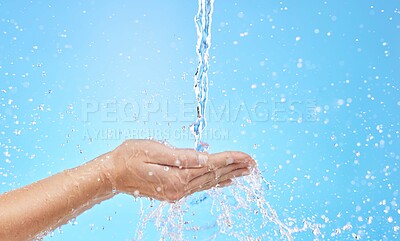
(309,88)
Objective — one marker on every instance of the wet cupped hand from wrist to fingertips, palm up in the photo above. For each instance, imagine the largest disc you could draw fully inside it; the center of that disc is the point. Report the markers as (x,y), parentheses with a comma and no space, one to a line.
(149,168)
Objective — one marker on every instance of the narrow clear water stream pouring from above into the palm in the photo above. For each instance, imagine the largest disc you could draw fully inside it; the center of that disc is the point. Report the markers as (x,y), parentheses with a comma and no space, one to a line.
(202,20)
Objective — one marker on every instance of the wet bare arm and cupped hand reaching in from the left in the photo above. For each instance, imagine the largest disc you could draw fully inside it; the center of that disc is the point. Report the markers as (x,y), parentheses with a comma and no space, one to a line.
(137,167)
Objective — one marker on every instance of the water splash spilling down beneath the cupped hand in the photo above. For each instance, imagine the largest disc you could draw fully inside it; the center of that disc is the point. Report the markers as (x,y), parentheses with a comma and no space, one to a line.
(241,211)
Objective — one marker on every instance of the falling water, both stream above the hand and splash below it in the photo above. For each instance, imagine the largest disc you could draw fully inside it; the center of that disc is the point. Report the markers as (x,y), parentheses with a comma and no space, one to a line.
(235,209)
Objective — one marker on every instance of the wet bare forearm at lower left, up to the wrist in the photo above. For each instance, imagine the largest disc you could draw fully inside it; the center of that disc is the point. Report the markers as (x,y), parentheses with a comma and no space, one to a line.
(43,206)
